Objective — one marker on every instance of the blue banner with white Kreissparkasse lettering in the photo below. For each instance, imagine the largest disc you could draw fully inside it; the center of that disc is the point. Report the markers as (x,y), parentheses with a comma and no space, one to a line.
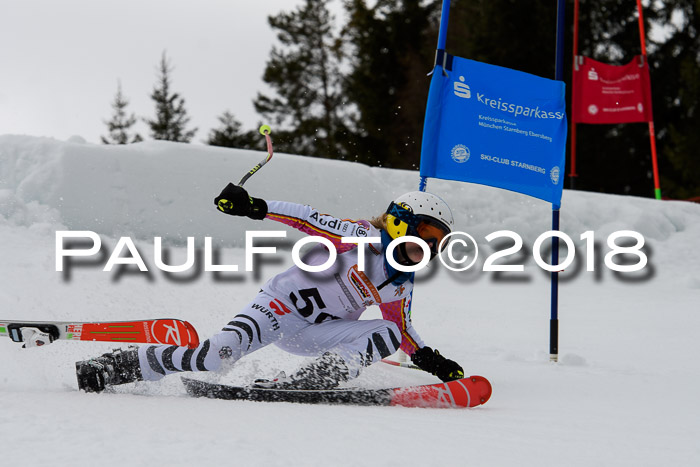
(496,126)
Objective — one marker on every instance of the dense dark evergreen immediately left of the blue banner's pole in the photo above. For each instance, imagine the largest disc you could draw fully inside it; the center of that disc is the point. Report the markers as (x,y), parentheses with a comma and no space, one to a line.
(393,48)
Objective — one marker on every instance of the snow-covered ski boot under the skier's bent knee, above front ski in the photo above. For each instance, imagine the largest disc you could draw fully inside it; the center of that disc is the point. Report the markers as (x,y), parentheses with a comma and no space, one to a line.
(326,372)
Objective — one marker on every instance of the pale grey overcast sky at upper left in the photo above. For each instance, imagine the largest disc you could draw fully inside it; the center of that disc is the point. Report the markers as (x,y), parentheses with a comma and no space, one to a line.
(60,61)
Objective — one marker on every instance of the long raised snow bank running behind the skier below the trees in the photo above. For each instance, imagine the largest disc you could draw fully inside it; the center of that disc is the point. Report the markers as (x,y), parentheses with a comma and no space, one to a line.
(167,189)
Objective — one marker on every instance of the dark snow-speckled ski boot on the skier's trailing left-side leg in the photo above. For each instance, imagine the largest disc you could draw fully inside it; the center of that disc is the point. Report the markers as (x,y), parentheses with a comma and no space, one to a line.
(113,368)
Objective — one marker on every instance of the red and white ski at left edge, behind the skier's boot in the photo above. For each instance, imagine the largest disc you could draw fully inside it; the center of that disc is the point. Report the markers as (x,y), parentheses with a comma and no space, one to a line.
(151,331)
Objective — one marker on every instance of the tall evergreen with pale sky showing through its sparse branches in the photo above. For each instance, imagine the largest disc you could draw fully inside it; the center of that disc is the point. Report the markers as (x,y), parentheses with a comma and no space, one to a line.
(308,108)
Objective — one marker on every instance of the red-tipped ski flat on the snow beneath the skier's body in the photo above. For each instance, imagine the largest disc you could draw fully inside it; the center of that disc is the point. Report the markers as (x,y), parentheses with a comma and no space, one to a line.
(466,392)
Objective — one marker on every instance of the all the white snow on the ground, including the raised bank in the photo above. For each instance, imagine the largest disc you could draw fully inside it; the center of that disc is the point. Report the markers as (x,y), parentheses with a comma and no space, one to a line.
(624,392)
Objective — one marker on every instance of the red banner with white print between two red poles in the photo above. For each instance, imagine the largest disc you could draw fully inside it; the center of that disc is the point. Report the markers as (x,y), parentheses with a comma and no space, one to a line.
(605,93)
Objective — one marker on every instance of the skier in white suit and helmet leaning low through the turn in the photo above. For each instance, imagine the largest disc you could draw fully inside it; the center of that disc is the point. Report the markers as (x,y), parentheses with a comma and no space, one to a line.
(311,314)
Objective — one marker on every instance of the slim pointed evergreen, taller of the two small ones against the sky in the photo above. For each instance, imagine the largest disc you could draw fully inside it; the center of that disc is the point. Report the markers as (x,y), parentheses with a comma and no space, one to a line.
(171,115)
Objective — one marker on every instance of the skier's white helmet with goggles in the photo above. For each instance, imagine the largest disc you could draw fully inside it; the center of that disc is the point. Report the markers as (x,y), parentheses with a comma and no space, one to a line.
(420,214)
